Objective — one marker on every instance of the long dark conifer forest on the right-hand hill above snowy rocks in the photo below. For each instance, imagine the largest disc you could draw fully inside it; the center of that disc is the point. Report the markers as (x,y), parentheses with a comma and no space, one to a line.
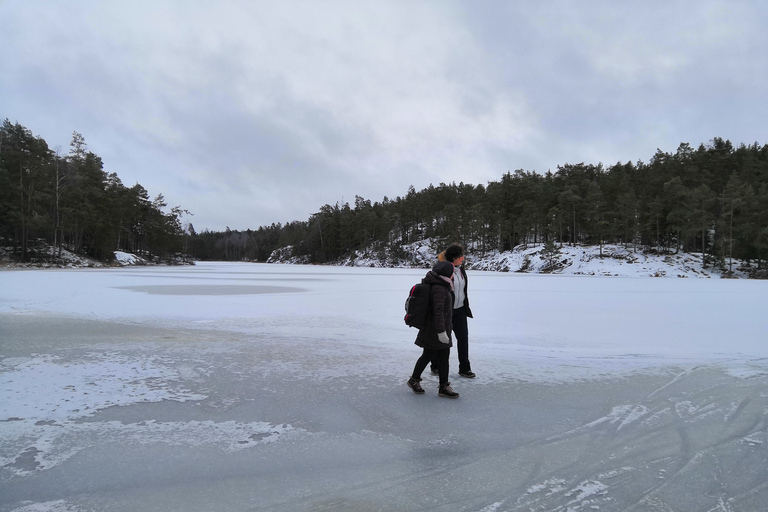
(712,200)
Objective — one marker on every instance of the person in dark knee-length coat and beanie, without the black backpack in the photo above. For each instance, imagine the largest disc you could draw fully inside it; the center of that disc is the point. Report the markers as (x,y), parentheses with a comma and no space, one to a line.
(435,337)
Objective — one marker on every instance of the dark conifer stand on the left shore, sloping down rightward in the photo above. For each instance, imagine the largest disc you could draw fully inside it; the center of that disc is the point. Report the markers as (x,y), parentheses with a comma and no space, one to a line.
(70,202)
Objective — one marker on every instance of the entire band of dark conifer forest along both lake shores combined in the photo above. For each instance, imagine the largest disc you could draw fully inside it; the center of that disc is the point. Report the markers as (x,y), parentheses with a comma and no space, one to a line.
(711,200)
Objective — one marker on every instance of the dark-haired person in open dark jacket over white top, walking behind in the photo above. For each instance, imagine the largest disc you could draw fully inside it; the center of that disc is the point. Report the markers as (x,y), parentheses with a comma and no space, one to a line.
(461,311)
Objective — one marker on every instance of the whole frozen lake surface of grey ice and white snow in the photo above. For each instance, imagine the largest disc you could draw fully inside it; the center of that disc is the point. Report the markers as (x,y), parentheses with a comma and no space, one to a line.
(265,387)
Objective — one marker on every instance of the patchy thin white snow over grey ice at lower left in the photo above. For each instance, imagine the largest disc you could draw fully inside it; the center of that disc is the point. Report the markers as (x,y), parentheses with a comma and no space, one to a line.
(45,398)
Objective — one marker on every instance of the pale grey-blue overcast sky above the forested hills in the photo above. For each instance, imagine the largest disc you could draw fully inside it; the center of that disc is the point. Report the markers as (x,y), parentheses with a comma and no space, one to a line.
(250,113)
